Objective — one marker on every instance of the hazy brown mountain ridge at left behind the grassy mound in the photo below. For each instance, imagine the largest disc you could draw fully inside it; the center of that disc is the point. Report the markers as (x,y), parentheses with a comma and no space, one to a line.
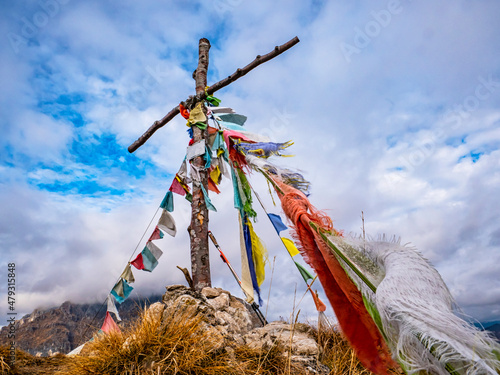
(61,329)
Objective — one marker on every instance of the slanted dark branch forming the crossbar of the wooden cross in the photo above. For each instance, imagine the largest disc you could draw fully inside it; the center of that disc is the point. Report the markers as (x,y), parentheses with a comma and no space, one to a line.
(215,87)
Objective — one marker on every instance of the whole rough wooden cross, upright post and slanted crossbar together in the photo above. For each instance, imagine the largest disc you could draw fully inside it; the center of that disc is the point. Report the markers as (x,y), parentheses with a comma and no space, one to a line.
(198,229)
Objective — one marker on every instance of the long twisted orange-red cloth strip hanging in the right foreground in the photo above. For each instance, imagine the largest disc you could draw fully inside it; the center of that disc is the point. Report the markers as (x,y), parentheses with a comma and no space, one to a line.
(345,298)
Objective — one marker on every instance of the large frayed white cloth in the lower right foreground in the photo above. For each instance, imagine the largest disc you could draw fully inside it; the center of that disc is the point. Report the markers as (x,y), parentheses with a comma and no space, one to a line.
(414,309)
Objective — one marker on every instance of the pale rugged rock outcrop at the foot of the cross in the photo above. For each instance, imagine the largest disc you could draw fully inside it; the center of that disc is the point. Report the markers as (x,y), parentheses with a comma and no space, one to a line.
(233,323)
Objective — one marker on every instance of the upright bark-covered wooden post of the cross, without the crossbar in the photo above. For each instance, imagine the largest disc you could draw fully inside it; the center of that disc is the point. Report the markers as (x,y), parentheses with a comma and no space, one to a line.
(198,230)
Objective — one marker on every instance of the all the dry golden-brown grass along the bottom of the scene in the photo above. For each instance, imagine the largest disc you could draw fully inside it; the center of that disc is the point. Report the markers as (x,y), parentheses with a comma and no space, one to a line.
(186,346)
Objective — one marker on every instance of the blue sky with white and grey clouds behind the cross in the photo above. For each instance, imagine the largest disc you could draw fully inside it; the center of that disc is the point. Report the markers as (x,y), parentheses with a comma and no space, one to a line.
(394,108)
